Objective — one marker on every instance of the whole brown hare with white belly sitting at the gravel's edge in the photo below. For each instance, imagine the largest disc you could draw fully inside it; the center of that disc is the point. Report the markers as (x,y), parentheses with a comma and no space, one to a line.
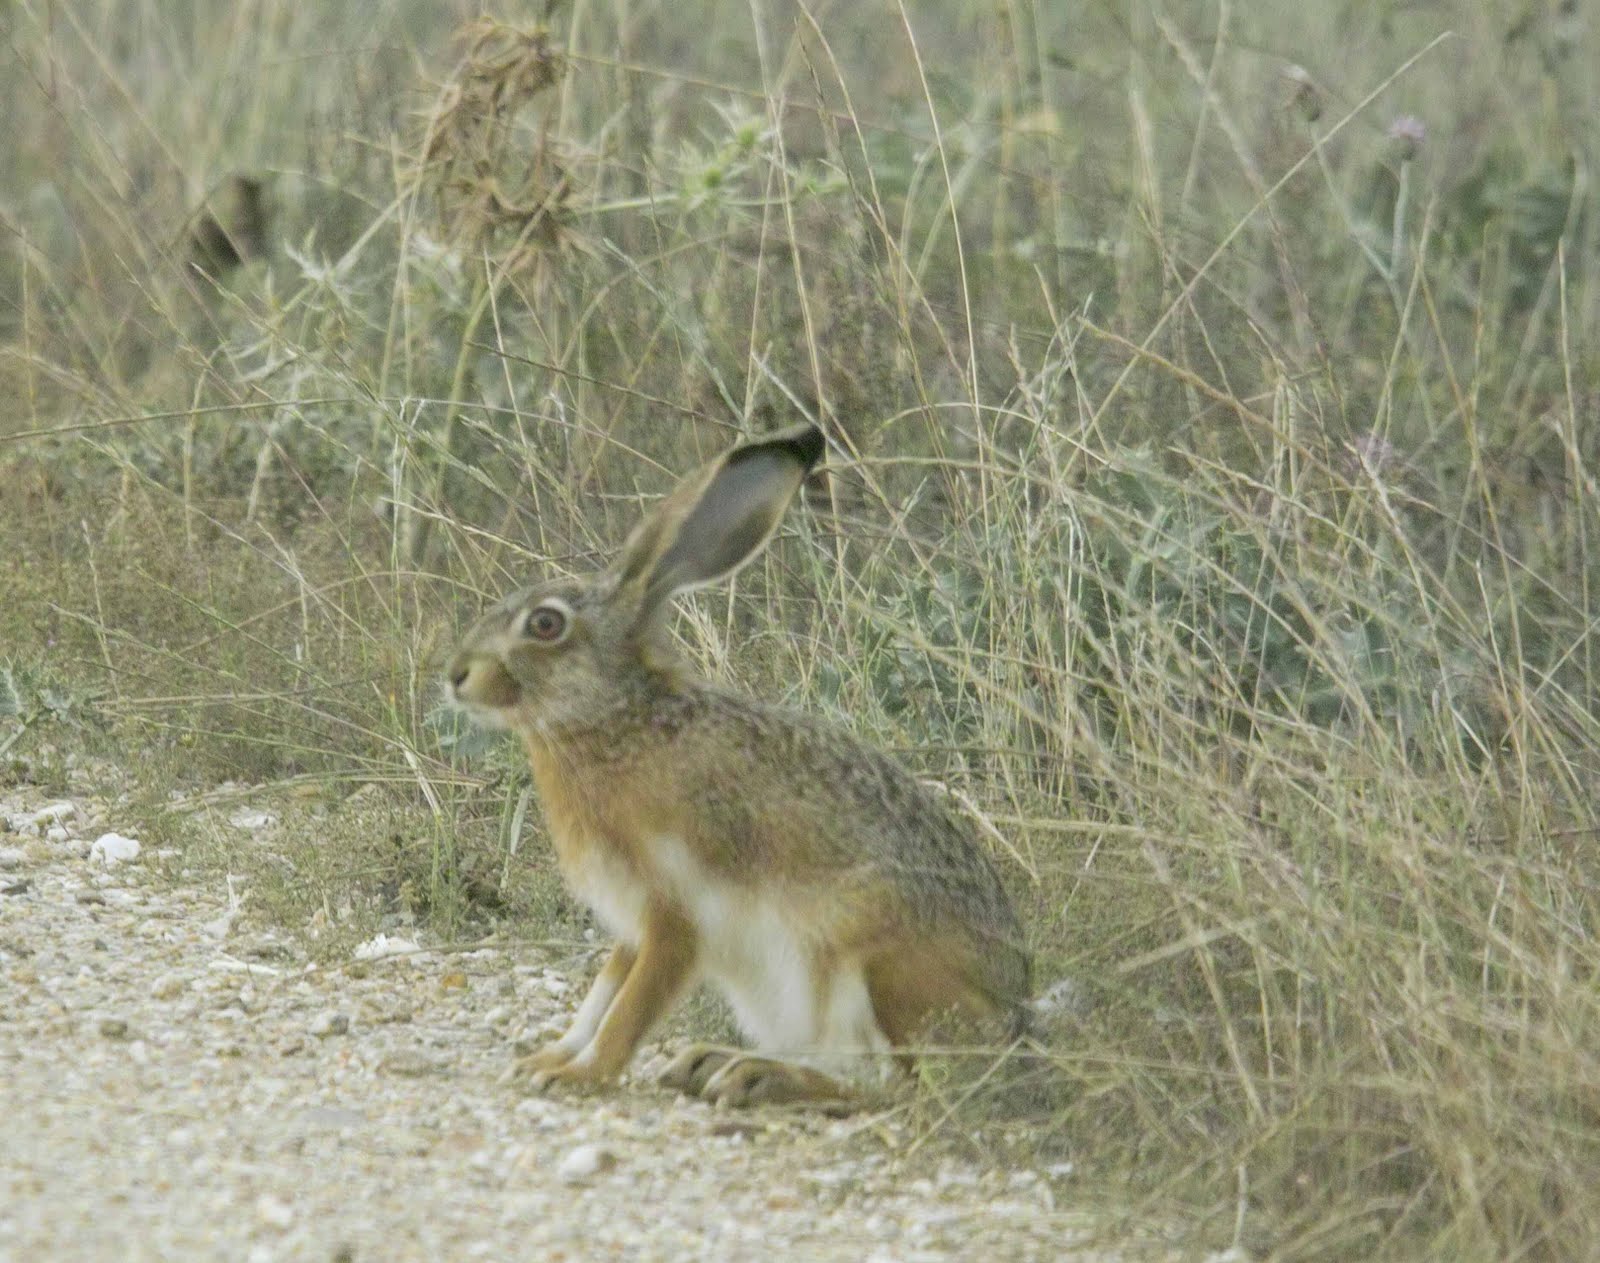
(831,899)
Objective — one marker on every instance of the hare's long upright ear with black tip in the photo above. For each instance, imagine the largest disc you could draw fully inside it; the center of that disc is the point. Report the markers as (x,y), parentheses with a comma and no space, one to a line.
(718,519)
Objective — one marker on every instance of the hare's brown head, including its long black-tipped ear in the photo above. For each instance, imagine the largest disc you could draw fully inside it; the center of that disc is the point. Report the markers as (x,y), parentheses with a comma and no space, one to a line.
(566,654)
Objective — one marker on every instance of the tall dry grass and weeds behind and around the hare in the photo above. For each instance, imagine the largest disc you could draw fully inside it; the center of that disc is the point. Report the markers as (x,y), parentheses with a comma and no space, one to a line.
(1214,403)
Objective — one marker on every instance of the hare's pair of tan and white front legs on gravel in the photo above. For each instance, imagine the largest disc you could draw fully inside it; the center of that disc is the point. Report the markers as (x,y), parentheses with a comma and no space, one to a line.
(634,992)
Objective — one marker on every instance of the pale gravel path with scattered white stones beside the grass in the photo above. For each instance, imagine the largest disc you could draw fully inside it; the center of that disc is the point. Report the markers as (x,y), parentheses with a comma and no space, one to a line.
(178,1088)
